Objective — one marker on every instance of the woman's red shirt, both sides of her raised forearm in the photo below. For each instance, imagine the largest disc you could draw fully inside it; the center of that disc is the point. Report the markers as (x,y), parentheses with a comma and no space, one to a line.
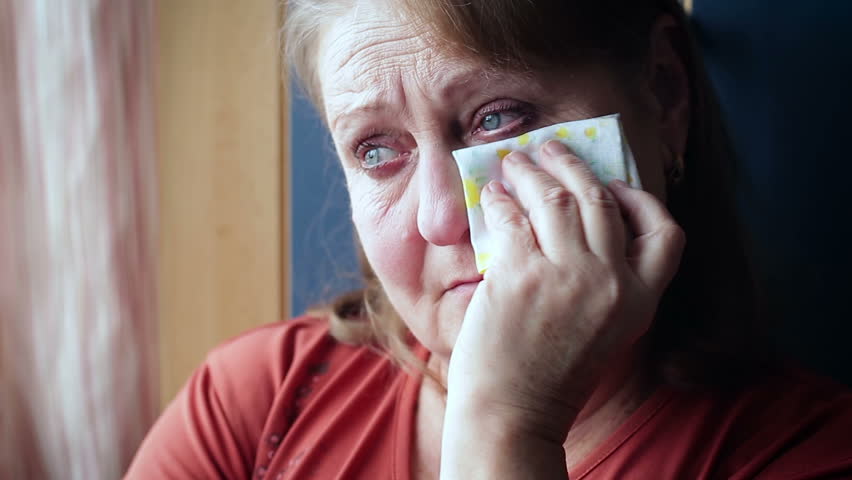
(288,401)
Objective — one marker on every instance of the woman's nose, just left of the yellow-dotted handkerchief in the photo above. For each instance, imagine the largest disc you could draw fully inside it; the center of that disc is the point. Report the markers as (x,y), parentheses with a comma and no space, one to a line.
(441,214)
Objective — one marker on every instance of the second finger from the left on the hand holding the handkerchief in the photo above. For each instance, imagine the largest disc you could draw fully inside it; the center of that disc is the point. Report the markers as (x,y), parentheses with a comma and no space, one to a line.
(553,211)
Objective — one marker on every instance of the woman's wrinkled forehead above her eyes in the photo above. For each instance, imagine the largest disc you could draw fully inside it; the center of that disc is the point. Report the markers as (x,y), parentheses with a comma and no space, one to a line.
(372,61)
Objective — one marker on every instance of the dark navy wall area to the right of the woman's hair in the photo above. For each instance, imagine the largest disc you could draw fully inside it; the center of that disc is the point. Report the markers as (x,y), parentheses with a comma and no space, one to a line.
(783,71)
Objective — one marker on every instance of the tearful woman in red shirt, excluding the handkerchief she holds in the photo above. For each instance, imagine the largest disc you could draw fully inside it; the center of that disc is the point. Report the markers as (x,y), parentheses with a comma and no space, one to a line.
(599,344)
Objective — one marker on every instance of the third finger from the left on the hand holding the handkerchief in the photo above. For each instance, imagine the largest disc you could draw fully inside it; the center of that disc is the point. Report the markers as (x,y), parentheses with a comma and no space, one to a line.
(598,208)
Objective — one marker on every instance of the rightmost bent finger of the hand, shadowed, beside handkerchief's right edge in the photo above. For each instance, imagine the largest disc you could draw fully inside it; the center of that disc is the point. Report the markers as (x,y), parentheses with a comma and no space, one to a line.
(655,252)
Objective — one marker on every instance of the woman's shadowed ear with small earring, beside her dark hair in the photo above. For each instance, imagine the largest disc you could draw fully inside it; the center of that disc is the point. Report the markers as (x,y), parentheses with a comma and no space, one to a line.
(668,83)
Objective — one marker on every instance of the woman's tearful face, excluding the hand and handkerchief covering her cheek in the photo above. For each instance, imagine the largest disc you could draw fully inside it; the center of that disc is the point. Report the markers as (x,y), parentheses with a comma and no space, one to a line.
(397,106)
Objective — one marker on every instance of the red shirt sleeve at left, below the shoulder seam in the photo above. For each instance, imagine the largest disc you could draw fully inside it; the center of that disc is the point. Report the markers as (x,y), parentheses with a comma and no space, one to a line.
(212,427)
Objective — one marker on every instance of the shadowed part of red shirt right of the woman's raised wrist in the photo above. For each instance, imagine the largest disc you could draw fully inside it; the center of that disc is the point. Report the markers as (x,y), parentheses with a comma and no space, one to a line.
(790,425)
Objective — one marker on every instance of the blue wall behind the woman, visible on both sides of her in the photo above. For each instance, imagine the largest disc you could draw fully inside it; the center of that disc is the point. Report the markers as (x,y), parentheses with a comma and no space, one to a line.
(783,72)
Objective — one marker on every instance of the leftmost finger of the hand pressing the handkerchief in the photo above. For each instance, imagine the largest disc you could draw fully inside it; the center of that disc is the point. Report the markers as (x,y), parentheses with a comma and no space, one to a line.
(513,235)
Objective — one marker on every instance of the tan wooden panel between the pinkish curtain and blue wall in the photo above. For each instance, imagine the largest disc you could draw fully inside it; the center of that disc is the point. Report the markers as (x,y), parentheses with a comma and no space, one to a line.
(221,139)
